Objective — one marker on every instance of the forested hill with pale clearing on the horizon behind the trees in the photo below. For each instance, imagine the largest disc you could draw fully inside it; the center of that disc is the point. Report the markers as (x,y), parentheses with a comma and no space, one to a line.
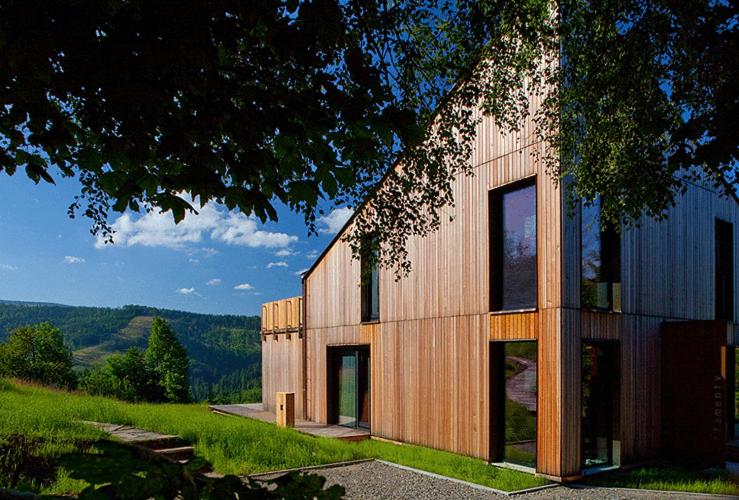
(224,350)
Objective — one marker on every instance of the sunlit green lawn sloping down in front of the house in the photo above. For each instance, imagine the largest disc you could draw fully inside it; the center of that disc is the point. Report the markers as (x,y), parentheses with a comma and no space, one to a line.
(229,444)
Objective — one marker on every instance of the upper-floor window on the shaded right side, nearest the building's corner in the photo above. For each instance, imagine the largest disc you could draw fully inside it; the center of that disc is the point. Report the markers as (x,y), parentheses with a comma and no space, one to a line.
(601,261)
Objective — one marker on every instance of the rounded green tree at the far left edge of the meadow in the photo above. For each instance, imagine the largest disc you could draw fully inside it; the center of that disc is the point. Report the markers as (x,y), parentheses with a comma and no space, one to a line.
(37,353)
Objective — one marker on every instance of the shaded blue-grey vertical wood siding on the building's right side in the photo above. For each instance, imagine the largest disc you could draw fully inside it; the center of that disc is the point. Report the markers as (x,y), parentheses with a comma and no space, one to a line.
(667,274)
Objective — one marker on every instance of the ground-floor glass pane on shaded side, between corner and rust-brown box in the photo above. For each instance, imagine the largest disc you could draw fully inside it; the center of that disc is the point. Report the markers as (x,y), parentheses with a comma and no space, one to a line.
(601,415)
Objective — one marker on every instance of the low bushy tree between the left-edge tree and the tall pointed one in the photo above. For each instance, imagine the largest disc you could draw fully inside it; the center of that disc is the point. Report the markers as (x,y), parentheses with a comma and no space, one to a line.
(128,377)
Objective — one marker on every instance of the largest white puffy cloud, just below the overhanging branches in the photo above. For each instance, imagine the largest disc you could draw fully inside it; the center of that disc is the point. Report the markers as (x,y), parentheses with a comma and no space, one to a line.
(155,229)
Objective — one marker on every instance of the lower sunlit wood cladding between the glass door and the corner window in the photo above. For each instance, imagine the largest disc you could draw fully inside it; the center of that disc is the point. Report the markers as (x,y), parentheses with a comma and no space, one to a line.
(430,383)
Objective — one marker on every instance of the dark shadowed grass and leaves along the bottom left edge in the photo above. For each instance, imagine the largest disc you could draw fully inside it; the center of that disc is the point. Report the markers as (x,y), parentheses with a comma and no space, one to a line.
(105,469)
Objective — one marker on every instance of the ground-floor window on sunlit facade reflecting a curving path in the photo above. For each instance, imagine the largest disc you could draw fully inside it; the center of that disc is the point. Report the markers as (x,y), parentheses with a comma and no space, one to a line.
(514,389)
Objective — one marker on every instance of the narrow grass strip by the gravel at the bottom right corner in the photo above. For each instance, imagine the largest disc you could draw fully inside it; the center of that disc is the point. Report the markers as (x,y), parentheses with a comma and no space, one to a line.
(669,478)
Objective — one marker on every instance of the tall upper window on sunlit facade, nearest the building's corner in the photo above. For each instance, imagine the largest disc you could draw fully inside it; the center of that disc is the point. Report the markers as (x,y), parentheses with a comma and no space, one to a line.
(513,264)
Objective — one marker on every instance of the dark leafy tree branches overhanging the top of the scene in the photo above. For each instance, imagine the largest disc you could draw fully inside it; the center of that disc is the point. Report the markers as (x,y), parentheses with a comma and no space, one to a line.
(246,103)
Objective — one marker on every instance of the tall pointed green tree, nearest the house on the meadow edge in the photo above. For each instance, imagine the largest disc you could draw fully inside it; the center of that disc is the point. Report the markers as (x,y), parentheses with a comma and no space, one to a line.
(166,356)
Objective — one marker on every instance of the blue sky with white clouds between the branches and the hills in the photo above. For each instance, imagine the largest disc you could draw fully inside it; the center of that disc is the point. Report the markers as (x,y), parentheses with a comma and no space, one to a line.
(216,262)
